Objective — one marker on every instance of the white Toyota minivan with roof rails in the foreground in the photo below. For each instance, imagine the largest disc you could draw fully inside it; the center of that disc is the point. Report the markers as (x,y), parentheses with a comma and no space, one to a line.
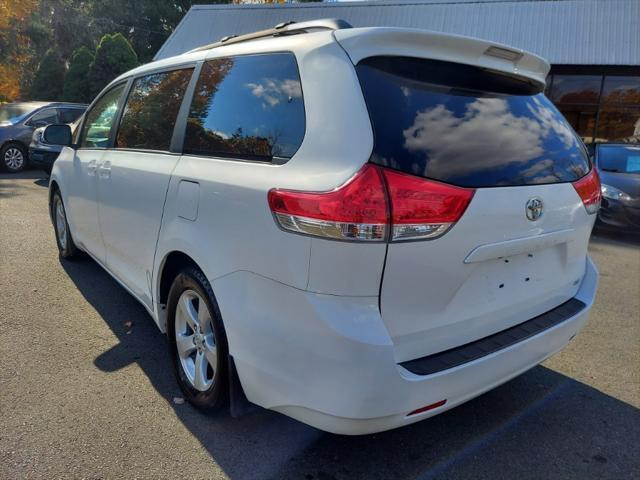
(356,227)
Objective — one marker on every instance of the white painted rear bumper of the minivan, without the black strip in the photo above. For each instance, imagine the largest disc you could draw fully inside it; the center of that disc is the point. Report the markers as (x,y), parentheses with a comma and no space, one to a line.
(328,361)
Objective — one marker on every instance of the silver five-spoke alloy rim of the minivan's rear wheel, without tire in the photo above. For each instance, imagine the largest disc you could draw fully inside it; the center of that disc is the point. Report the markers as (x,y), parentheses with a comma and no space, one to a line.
(195,340)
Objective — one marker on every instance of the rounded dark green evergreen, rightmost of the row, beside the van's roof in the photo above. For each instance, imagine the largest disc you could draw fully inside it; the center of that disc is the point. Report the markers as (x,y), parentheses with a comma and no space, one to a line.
(114,56)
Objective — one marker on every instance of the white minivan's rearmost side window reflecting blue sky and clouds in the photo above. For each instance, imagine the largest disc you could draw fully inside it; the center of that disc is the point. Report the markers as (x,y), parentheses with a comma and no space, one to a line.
(247,107)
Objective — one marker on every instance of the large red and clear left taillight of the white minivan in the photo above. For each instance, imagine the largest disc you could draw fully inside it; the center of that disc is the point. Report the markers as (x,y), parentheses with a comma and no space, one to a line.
(376,204)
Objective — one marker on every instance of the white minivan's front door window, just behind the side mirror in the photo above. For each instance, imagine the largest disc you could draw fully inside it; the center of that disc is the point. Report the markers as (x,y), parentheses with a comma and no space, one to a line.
(97,126)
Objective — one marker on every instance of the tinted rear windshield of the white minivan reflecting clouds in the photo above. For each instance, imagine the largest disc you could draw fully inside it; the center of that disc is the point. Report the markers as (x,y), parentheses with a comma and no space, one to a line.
(465,126)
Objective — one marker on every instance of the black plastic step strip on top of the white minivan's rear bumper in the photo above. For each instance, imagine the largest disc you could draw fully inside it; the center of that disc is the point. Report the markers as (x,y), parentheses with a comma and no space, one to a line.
(493,343)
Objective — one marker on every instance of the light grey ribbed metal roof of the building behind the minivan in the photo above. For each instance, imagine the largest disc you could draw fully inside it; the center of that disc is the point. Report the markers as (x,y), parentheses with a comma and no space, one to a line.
(582,32)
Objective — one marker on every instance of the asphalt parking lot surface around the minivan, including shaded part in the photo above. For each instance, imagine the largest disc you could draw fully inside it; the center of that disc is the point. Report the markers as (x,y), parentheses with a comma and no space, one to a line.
(86,389)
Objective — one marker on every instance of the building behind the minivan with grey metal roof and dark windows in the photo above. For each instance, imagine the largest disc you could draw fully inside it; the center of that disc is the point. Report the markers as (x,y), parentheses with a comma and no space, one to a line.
(592,45)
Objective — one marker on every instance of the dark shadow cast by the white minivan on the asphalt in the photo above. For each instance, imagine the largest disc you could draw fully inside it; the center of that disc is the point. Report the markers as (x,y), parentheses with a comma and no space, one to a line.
(539,425)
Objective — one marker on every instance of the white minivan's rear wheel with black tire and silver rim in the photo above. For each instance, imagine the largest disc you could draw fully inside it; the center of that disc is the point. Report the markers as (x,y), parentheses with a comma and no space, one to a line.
(197,341)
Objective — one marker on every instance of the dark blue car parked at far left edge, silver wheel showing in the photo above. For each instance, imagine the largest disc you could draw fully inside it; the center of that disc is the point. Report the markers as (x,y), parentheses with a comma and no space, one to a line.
(18,121)
